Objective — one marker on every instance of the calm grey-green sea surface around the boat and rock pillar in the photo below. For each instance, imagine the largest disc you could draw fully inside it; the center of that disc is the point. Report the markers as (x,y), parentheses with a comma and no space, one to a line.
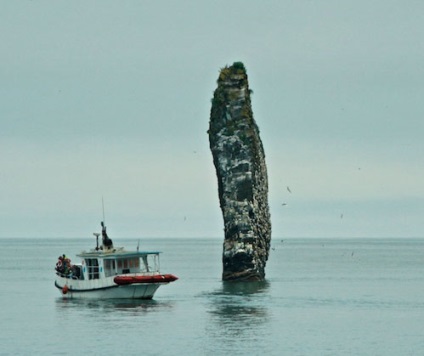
(321,297)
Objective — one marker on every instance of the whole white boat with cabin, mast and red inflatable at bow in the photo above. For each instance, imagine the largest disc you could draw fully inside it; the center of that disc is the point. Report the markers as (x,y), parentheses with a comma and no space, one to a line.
(108,272)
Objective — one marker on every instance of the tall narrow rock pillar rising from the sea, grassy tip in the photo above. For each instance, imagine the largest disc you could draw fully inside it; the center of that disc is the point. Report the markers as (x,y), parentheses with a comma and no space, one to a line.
(239,160)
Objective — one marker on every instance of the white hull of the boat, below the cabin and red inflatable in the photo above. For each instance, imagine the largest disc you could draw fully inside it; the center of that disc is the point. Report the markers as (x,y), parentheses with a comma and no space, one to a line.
(104,289)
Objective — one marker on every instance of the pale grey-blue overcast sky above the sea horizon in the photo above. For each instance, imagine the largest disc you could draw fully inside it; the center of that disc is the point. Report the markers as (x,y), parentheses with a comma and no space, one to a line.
(112,99)
